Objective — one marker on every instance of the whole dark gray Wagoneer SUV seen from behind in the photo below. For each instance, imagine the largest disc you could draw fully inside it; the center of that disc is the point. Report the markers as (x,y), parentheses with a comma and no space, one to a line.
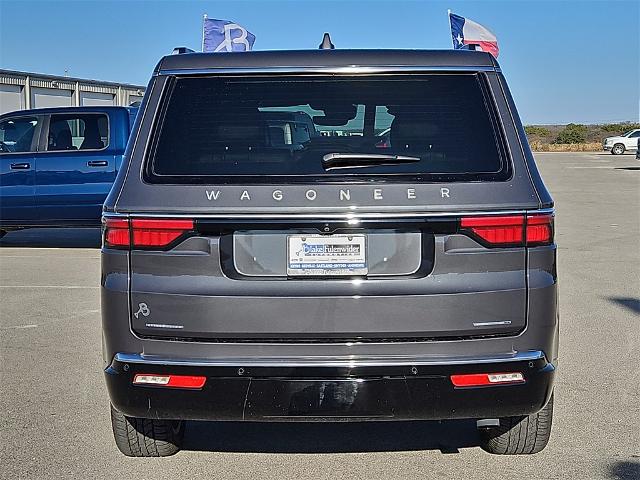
(303,270)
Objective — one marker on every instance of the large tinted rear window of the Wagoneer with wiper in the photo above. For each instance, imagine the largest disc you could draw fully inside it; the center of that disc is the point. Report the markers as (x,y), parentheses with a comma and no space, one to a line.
(339,128)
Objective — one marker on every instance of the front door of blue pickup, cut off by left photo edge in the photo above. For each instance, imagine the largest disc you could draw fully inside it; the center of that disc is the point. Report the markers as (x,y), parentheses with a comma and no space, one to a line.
(18,142)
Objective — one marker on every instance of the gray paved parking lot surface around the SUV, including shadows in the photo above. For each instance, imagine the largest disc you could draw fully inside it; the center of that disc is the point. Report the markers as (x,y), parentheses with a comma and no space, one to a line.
(54,415)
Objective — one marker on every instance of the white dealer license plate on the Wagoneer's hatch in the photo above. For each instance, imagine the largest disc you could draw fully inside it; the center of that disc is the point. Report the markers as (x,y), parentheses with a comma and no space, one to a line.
(326,255)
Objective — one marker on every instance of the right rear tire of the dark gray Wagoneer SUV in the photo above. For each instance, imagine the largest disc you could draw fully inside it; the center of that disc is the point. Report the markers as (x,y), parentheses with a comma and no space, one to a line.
(519,435)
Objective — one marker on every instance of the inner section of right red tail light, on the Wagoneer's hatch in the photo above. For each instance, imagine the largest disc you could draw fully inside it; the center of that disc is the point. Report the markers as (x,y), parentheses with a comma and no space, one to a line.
(496,230)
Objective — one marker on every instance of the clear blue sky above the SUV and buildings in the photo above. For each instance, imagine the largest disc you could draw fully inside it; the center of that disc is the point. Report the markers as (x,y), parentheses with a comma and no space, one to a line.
(565,60)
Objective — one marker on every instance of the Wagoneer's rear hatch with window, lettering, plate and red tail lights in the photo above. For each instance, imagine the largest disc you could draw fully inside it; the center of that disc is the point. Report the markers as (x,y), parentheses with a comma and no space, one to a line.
(370,207)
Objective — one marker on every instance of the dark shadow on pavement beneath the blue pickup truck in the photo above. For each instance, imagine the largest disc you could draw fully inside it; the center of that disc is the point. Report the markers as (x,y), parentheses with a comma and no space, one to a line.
(53,238)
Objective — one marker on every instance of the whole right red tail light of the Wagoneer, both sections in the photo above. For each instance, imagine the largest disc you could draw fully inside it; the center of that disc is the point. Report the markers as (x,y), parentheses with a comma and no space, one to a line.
(510,230)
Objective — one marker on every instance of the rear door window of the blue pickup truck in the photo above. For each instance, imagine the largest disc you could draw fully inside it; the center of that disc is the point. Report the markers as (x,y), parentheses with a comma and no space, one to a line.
(78,132)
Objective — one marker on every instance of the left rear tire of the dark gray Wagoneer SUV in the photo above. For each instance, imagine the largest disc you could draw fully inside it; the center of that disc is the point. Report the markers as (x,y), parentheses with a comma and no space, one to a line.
(145,437)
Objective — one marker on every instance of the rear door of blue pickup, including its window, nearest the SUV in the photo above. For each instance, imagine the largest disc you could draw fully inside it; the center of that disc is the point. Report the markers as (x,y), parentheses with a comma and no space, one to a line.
(75,170)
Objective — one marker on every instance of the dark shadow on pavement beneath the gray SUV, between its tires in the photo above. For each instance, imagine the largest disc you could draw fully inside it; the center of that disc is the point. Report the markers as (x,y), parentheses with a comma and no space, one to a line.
(349,437)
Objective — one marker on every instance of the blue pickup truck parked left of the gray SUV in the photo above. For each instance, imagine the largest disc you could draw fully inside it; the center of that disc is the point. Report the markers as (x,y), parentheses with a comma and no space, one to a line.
(57,165)
